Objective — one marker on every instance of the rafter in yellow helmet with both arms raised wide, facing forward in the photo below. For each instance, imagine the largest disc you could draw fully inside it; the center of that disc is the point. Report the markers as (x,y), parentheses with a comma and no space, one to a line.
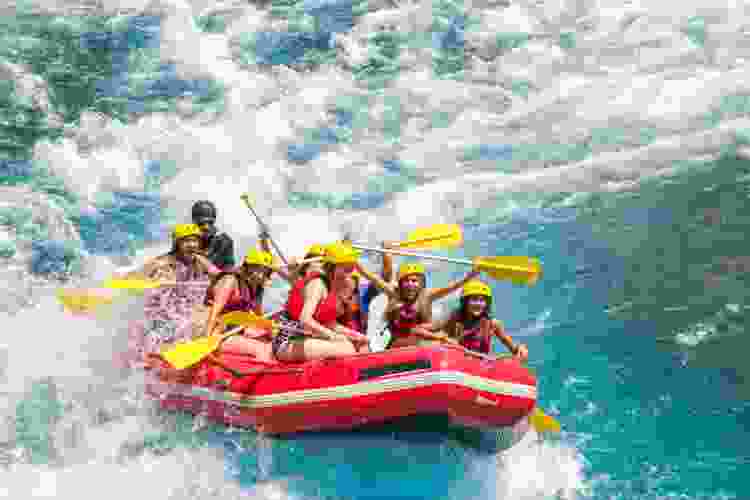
(408,312)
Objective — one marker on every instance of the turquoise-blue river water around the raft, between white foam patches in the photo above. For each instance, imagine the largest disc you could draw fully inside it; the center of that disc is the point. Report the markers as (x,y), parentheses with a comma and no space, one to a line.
(628,277)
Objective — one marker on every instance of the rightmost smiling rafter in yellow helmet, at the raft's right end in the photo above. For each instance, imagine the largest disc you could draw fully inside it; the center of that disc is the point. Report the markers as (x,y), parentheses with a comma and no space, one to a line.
(472,325)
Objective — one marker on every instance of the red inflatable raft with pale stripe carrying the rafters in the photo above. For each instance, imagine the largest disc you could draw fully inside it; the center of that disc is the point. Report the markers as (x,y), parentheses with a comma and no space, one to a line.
(472,390)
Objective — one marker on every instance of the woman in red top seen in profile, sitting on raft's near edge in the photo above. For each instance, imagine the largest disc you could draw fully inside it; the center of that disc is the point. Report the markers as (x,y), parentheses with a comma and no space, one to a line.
(315,307)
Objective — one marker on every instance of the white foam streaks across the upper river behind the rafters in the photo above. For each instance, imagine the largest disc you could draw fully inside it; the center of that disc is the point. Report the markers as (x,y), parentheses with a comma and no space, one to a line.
(242,147)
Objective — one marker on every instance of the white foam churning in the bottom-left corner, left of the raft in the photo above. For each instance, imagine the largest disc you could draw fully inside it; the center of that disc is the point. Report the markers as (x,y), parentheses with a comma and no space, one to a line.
(96,442)
